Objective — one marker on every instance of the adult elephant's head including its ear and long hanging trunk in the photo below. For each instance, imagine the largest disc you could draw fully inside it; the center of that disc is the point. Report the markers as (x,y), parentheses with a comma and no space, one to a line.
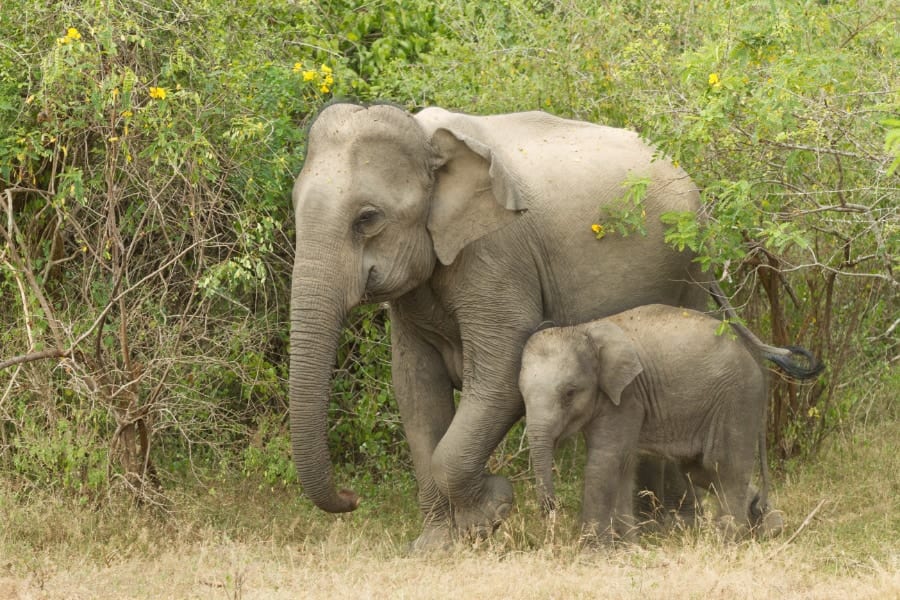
(381,199)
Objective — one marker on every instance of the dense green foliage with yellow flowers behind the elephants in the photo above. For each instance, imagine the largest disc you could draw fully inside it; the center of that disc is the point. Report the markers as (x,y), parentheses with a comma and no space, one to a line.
(147,152)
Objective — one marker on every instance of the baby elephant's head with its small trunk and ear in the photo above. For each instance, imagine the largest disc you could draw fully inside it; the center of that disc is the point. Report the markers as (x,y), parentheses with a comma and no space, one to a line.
(566,372)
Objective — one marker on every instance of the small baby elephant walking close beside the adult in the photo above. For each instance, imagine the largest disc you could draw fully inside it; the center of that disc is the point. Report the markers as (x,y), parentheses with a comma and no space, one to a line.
(654,379)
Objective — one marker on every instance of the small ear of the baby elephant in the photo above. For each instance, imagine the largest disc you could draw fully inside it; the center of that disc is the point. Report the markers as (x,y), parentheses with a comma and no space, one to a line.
(618,362)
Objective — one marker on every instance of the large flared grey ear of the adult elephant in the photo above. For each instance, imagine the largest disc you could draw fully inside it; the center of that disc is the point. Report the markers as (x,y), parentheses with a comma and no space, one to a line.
(474,193)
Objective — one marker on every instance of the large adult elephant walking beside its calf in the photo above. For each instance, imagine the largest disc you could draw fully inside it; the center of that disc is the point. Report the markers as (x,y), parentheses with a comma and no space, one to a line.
(474,230)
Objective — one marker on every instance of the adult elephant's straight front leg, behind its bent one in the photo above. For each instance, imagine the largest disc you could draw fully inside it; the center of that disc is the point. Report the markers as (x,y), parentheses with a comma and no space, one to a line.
(424,395)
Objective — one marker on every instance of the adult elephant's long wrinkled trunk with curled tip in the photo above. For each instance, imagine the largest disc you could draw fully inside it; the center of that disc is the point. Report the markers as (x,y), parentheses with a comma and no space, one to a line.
(318,309)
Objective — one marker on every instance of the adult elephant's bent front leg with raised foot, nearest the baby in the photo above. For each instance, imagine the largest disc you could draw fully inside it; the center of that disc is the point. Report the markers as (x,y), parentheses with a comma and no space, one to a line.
(494,324)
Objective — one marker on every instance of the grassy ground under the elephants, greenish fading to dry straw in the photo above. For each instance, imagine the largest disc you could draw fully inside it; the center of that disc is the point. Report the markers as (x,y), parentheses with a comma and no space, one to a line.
(233,540)
